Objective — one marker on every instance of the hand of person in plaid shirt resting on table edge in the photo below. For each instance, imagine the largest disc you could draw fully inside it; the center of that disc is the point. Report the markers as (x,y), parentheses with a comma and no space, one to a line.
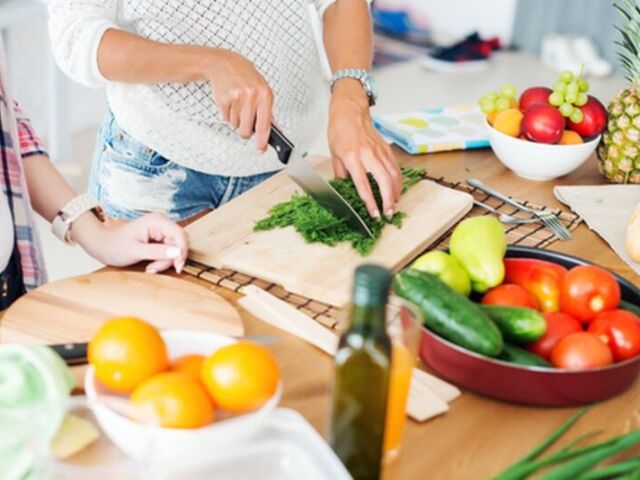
(152,237)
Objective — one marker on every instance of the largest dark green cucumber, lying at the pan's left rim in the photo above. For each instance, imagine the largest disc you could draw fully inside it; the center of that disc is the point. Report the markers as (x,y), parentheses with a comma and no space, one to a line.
(449,314)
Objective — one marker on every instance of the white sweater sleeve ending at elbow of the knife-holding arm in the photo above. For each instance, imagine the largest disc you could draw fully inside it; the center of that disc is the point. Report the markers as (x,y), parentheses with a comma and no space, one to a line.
(76,28)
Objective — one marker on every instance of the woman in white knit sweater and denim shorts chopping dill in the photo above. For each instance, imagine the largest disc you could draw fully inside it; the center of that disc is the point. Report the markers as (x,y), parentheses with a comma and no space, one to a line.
(189,81)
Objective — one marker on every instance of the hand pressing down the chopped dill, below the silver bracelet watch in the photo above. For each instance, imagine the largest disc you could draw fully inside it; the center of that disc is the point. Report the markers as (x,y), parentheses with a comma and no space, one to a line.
(358,149)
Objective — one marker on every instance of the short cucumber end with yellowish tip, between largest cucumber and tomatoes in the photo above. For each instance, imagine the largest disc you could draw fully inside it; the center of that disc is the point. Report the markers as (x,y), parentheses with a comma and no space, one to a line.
(517,324)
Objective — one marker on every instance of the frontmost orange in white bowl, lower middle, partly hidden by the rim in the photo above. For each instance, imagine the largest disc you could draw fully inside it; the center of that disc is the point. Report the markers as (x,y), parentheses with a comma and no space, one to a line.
(175,399)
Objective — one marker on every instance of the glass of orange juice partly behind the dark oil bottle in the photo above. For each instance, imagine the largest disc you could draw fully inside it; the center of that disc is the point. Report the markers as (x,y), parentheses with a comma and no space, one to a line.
(404,322)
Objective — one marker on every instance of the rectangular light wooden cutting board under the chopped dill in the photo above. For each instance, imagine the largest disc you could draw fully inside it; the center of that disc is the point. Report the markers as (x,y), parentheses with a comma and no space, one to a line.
(225,238)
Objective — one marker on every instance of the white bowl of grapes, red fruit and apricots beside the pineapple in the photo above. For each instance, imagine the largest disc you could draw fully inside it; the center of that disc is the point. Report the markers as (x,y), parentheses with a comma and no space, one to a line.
(545,133)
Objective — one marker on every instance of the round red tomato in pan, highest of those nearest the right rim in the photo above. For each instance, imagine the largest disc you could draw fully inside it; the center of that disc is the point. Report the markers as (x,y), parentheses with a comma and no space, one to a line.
(588,290)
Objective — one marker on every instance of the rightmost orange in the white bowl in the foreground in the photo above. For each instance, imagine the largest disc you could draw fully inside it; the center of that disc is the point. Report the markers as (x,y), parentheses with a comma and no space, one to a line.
(240,377)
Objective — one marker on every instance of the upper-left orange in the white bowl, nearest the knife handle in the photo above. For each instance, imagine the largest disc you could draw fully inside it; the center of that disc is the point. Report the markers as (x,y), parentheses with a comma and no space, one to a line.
(125,352)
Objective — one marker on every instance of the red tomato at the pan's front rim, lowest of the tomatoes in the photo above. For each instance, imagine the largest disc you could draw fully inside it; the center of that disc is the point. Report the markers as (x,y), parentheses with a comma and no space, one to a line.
(580,351)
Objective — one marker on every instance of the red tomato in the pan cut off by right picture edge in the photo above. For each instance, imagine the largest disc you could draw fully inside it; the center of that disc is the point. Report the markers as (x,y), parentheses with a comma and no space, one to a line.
(620,330)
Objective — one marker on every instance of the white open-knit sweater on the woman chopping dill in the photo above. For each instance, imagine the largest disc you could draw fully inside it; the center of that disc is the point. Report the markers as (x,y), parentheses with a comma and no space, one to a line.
(181,121)
